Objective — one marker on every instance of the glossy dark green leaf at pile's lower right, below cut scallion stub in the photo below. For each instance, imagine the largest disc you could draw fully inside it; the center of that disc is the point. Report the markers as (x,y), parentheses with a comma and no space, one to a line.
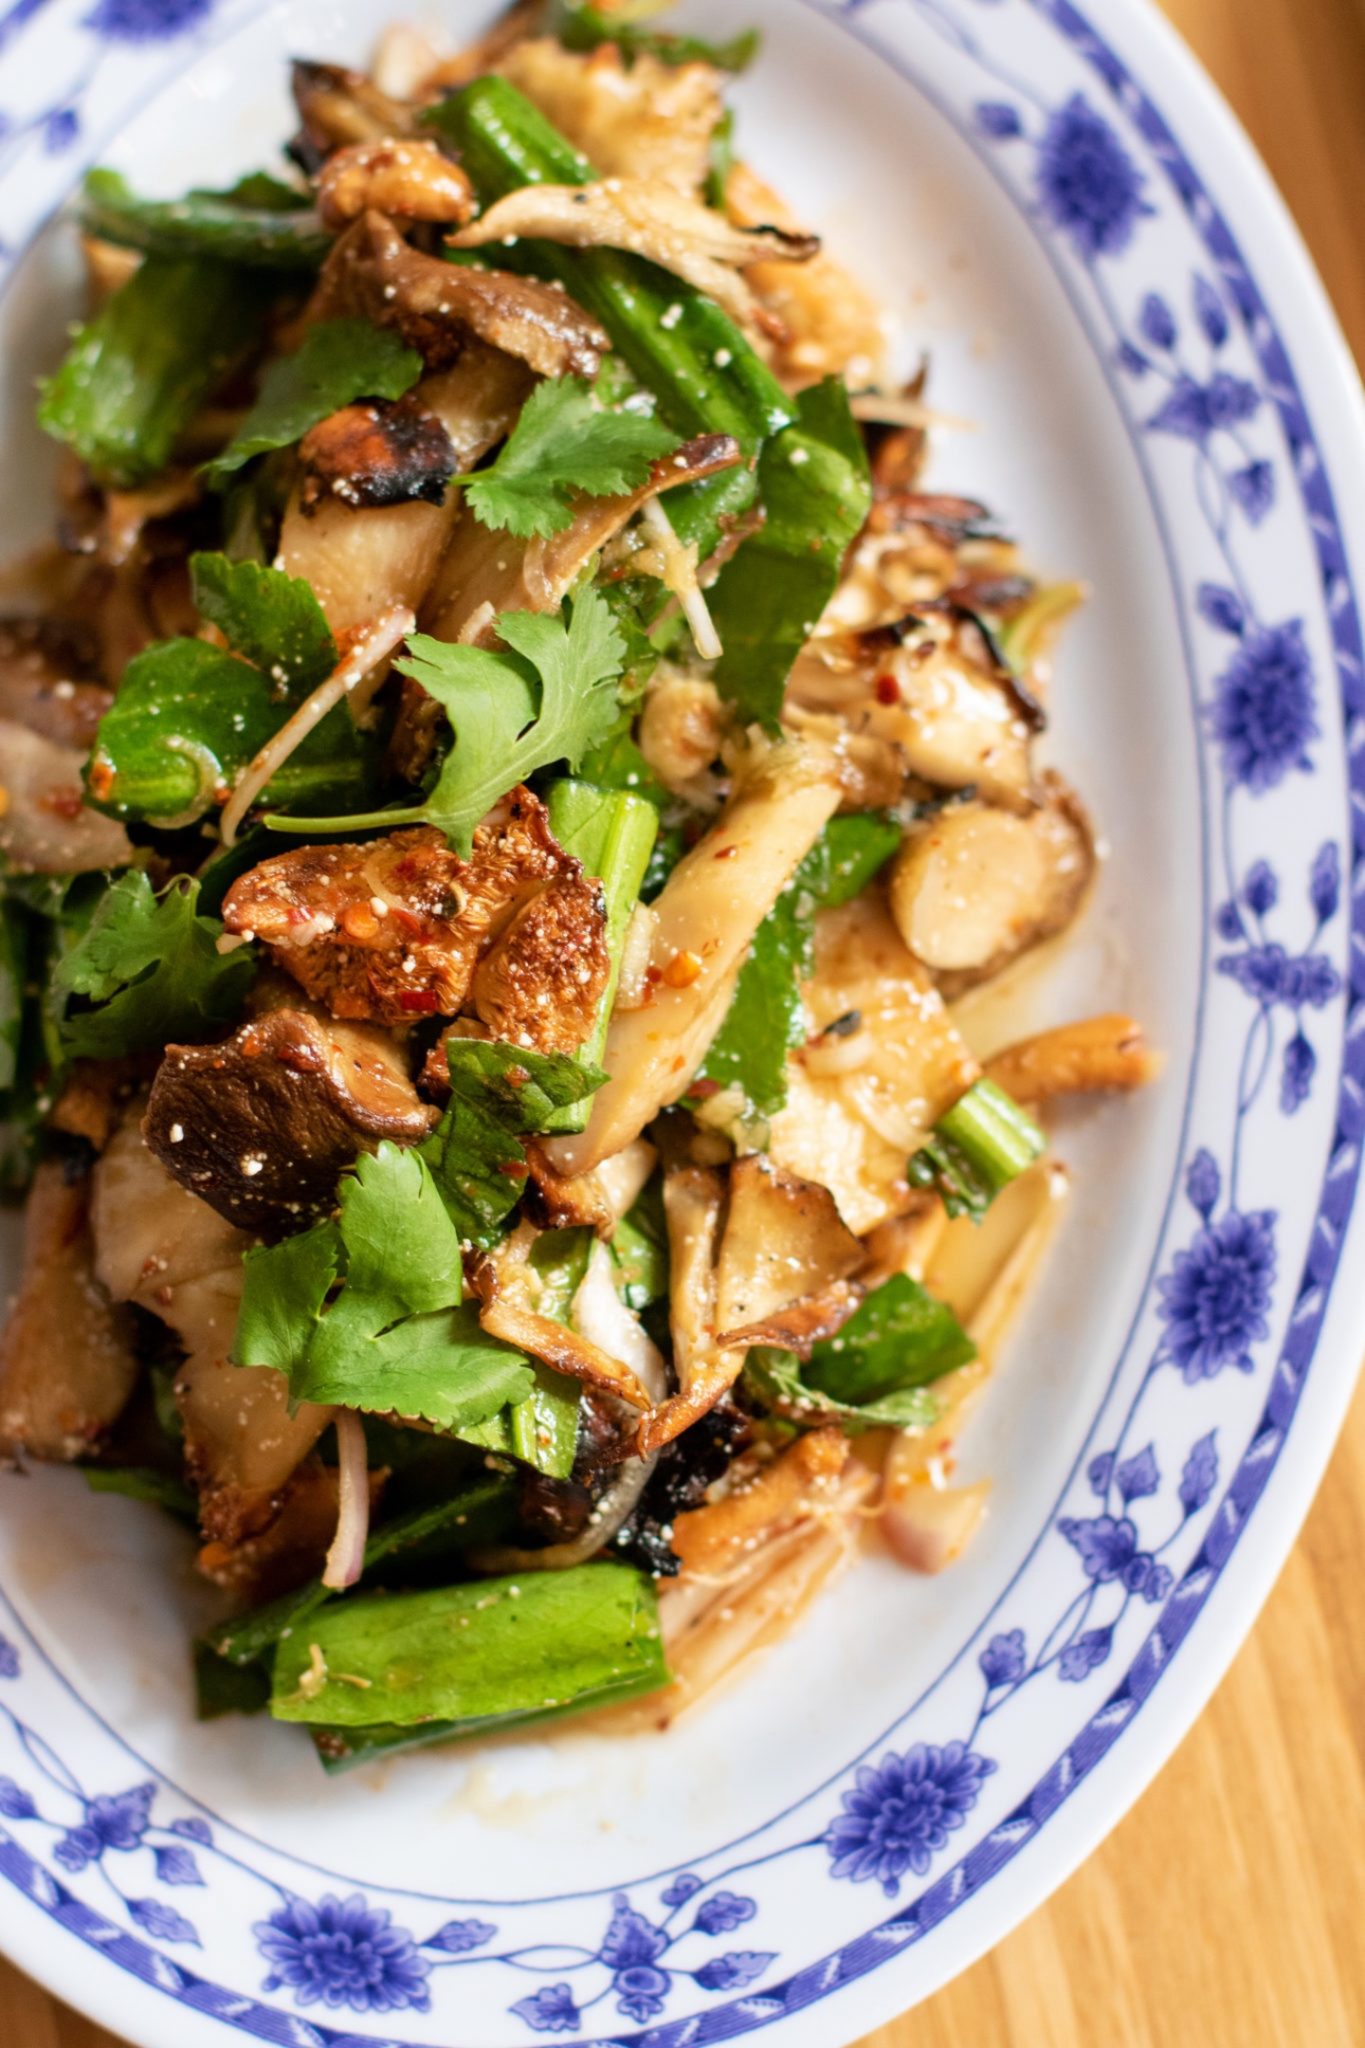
(877,1371)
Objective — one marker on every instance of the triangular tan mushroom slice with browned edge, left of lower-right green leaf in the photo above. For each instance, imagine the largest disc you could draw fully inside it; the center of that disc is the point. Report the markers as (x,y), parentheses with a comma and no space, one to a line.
(785,1250)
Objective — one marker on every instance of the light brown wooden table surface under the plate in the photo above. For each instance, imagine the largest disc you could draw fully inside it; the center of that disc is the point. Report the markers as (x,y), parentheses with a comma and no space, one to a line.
(1229,1908)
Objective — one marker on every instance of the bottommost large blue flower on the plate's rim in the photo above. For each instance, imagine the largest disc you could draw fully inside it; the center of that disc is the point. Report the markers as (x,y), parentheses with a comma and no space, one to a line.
(343,1953)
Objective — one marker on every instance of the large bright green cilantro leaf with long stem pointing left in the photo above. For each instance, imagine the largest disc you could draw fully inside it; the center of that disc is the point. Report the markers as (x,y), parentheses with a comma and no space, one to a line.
(504,728)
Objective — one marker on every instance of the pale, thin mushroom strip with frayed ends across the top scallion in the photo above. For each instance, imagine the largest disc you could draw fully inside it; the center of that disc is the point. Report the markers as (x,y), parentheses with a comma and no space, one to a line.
(650,220)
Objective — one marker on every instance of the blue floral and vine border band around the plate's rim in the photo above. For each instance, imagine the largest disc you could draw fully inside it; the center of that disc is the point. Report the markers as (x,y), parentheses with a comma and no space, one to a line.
(1143,1529)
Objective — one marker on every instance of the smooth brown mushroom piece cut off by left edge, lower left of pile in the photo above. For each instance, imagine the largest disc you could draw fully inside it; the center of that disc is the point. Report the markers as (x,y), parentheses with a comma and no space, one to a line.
(67,1355)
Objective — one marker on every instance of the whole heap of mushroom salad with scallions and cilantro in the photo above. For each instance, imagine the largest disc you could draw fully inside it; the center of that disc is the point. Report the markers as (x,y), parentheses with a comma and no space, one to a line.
(511,792)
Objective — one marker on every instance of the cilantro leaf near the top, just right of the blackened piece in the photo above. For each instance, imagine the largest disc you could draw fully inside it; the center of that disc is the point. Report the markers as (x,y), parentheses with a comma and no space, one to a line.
(564,441)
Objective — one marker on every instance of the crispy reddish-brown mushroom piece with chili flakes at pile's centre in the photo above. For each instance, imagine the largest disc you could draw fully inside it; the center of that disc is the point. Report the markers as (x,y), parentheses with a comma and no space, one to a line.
(396,929)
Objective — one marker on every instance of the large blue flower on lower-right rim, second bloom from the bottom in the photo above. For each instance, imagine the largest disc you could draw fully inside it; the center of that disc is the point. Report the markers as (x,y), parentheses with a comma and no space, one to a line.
(901,1811)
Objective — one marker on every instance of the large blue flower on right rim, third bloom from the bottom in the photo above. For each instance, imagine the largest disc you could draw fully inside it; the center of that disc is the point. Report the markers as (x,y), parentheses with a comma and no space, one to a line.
(1219,1293)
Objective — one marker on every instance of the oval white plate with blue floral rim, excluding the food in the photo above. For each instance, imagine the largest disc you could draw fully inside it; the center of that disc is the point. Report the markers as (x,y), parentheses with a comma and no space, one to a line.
(1112,292)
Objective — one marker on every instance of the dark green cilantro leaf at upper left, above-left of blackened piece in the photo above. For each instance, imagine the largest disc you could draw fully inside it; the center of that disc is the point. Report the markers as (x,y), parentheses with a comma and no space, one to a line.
(337,364)
